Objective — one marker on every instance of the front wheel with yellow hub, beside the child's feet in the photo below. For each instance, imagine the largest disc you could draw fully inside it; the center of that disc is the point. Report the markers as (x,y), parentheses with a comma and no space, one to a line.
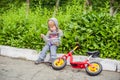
(59,64)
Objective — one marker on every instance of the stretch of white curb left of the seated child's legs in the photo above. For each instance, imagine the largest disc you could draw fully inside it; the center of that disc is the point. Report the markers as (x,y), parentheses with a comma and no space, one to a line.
(27,54)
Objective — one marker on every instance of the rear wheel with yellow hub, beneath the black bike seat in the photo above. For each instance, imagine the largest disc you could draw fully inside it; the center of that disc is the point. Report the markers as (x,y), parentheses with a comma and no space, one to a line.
(94,68)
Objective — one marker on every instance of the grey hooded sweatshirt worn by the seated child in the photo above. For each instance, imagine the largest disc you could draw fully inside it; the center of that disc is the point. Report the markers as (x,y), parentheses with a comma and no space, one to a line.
(57,34)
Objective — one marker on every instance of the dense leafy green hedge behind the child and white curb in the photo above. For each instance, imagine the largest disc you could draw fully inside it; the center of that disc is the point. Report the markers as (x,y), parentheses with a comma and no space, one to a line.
(95,30)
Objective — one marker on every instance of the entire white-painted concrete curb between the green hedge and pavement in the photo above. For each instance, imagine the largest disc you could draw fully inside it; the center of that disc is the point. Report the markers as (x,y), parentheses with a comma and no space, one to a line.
(28,54)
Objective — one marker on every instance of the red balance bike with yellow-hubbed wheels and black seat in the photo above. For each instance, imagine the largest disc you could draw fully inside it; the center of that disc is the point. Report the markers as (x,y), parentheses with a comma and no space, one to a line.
(92,68)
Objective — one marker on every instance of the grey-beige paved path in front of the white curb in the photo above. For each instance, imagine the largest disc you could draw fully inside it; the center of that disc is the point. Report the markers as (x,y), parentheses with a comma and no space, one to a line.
(17,69)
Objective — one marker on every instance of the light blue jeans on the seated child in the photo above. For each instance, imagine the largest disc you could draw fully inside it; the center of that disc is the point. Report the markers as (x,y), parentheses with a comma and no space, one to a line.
(52,49)
